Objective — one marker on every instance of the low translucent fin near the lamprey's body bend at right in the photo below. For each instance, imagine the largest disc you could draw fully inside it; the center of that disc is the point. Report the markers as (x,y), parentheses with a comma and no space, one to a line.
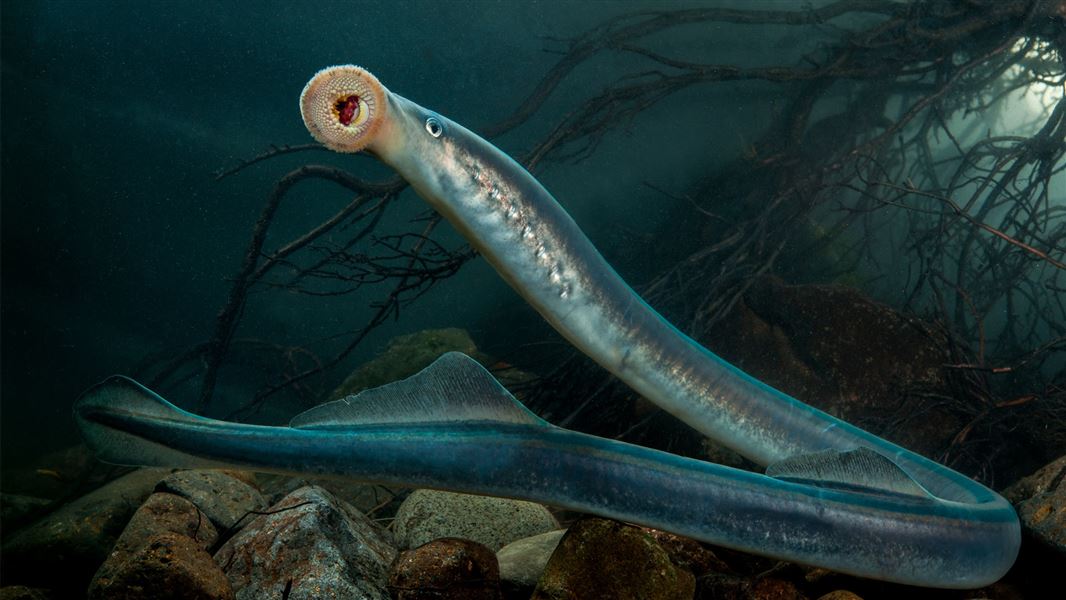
(857,471)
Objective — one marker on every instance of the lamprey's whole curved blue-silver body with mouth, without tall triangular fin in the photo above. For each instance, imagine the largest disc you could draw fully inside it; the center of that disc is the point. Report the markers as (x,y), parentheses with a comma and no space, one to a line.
(924,525)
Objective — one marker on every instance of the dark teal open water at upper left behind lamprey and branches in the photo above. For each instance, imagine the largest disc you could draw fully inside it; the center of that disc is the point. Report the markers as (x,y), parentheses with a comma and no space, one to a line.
(118,242)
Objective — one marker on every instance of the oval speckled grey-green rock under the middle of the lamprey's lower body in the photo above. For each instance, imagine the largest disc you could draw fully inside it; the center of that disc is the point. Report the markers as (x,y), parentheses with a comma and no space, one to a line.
(427,515)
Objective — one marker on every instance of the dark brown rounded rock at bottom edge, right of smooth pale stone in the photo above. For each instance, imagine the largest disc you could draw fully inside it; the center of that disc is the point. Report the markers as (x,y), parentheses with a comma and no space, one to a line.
(603,559)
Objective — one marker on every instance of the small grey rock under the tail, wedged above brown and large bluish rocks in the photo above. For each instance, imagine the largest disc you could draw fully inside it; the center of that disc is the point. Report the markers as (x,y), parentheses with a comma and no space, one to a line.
(223,498)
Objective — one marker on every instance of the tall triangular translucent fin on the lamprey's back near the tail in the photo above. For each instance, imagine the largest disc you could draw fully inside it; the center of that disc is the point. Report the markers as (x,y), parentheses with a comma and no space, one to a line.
(455,388)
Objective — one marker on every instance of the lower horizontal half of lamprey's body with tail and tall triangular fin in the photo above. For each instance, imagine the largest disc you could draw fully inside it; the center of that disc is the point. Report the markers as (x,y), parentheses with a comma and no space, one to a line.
(497,448)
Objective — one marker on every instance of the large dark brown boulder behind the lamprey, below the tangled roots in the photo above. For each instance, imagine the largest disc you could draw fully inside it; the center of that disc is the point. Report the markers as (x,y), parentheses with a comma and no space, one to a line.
(835,349)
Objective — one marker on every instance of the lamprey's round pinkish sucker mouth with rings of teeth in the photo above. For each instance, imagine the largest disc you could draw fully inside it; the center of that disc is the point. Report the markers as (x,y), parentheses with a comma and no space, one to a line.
(344,108)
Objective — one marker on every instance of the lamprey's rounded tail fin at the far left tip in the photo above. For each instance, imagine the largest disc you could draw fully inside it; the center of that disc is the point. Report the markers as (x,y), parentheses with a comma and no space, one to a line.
(126,424)
